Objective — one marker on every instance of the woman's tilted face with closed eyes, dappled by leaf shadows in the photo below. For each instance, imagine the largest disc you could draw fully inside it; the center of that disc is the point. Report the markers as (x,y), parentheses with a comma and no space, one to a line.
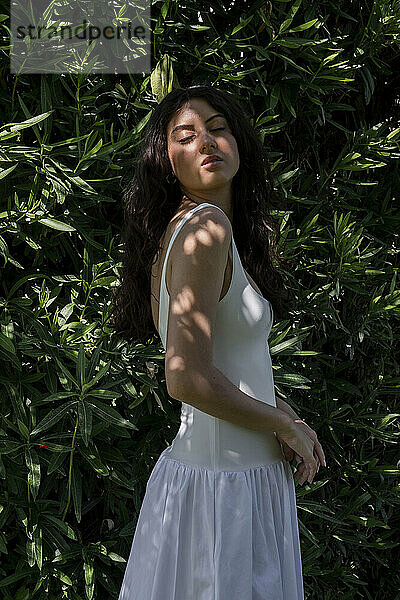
(203,134)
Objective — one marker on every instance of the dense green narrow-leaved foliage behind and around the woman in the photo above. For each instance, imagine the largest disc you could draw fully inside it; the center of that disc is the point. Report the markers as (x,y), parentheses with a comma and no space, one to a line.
(83,416)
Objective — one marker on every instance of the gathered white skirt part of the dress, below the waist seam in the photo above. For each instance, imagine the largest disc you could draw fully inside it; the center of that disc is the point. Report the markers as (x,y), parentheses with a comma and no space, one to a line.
(204,534)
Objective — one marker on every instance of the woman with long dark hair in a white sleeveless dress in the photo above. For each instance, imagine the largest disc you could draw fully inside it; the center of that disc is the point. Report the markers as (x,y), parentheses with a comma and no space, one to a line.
(218,520)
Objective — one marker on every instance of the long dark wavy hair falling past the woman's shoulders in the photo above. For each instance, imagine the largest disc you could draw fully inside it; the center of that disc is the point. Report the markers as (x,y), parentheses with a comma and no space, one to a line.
(150,203)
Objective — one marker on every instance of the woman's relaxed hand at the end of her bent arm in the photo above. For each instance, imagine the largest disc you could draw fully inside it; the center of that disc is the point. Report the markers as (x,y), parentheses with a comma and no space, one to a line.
(290,447)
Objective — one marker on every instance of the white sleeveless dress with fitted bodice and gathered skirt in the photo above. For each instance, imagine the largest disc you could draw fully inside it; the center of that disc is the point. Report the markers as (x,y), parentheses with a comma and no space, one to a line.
(218,520)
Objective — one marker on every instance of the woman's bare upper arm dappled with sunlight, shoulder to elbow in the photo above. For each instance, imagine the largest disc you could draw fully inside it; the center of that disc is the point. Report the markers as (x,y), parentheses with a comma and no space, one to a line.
(199,256)
